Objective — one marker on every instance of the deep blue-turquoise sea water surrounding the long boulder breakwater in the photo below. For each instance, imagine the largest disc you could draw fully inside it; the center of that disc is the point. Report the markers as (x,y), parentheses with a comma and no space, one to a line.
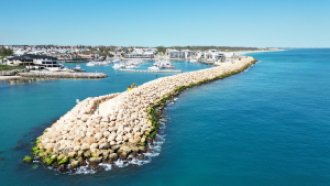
(269,125)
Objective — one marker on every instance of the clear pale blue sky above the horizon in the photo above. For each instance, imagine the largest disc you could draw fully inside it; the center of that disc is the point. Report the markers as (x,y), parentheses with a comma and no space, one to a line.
(267,23)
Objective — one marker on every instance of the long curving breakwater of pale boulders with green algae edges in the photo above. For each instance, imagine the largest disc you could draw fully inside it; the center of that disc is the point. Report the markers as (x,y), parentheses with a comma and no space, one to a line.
(103,129)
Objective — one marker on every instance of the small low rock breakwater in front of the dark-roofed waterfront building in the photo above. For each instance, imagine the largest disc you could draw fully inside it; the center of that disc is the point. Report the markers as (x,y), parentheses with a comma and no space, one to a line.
(63,75)
